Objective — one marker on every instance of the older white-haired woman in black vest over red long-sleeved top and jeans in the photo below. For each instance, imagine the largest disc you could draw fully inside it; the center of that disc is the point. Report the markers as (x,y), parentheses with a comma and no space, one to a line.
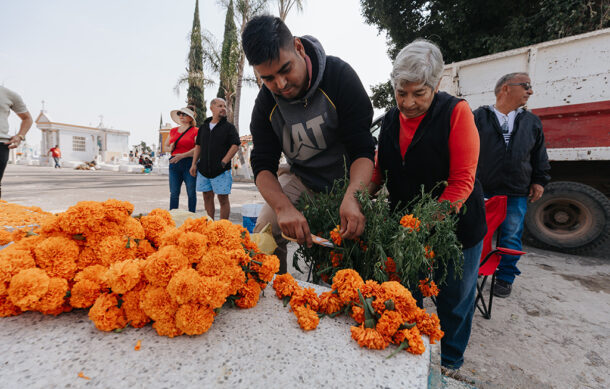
(429,137)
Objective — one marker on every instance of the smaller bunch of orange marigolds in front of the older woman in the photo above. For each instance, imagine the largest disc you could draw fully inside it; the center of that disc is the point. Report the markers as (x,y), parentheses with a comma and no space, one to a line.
(385,313)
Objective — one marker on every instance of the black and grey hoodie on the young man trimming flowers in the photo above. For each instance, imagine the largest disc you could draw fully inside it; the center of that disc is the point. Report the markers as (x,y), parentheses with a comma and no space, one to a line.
(317,132)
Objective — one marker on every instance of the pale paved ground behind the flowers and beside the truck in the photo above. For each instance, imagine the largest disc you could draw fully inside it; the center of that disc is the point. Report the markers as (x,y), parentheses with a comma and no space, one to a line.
(551,333)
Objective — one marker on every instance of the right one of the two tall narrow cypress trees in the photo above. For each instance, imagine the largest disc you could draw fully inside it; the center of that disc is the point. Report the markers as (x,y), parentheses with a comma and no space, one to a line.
(229,58)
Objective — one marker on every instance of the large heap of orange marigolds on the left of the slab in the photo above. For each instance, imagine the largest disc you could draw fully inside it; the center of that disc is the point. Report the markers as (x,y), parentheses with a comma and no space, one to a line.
(133,271)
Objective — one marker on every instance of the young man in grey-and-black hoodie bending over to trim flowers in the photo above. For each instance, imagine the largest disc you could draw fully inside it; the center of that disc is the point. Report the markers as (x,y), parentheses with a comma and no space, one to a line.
(314,109)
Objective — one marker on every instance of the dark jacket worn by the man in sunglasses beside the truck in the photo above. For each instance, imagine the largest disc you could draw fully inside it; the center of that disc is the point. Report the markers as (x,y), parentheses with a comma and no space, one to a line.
(511,169)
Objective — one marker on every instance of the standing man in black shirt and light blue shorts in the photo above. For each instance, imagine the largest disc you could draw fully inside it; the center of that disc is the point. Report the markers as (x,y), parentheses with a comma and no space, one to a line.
(217,142)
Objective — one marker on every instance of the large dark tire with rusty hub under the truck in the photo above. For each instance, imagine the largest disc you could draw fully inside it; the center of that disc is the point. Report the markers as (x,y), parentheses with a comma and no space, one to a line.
(570,217)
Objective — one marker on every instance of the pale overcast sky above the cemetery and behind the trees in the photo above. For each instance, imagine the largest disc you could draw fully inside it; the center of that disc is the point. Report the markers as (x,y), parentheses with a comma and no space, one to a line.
(118,61)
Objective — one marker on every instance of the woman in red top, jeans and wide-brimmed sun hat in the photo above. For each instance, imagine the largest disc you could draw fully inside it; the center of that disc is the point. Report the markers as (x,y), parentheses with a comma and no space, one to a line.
(181,143)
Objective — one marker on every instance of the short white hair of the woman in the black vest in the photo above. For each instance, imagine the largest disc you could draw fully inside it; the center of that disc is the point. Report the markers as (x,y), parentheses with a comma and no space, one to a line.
(420,61)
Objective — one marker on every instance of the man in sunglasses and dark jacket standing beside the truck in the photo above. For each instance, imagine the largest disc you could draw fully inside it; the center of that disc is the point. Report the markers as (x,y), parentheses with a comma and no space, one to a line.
(513,162)
